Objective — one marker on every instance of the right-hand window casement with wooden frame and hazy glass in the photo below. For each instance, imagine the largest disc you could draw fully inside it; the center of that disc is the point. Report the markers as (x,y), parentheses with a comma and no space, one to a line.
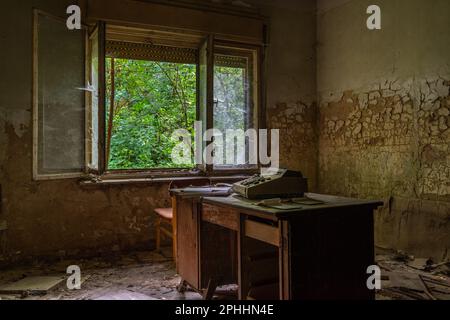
(228,104)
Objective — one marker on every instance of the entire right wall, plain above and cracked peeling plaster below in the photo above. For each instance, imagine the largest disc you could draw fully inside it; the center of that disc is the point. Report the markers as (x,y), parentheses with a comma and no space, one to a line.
(384,101)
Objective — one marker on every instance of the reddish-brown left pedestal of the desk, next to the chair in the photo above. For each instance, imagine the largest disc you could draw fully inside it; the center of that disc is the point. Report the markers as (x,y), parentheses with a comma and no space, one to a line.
(196,241)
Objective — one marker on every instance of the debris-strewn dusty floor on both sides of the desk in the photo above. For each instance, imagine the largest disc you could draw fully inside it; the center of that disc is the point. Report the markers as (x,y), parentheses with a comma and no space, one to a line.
(149,276)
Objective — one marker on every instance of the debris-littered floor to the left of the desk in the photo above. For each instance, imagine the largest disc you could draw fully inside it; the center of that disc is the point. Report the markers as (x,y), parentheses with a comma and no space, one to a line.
(134,276)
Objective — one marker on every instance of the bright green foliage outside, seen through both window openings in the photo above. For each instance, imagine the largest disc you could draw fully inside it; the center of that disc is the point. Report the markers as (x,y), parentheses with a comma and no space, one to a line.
(153,99)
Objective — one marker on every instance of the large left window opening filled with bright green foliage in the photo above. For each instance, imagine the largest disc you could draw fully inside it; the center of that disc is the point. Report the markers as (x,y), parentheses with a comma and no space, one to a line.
(151,100)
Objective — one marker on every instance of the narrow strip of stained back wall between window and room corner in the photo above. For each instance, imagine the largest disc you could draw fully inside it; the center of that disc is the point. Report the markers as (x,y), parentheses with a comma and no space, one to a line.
(291,82)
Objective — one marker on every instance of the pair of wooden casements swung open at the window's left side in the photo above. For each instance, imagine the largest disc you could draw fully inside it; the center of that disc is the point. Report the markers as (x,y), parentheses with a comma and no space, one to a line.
(69,99)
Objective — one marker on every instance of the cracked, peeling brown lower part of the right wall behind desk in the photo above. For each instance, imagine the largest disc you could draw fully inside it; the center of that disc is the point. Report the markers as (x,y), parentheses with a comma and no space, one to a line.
(392,141)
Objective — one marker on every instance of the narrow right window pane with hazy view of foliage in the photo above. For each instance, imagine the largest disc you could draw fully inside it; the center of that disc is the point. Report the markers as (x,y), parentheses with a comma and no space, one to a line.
(234,105)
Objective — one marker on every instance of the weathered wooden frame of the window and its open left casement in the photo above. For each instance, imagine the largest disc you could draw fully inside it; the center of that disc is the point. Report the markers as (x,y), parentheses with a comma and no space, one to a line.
(138,19)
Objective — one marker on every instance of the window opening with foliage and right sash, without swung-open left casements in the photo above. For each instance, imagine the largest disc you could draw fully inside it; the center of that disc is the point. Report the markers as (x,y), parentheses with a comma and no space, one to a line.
(152,89)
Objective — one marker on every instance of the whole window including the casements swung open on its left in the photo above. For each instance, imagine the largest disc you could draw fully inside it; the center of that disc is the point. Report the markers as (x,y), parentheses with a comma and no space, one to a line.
(107,98)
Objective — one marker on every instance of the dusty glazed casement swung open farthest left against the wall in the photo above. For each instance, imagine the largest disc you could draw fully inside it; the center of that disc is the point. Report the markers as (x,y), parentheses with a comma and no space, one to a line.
(58,98)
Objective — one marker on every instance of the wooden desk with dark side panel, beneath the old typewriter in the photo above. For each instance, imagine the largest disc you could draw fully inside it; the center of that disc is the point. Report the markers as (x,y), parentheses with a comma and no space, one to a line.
(318,251)
